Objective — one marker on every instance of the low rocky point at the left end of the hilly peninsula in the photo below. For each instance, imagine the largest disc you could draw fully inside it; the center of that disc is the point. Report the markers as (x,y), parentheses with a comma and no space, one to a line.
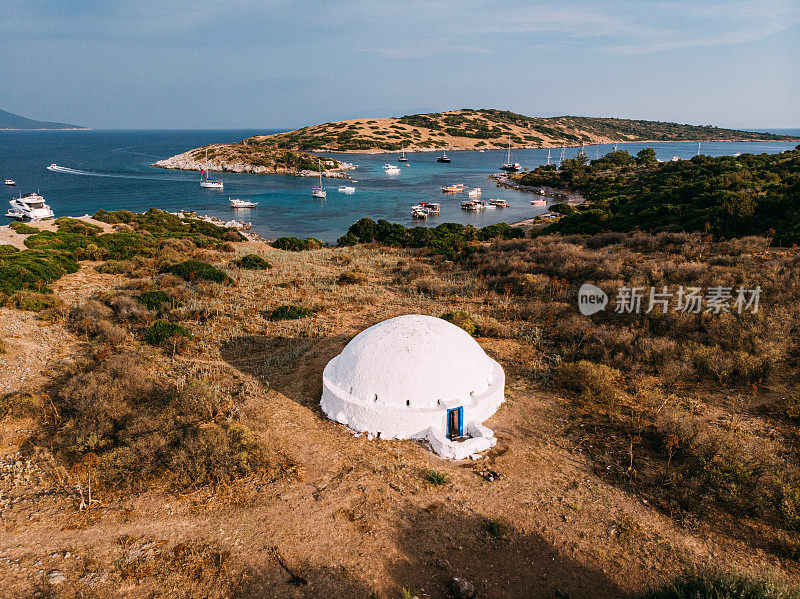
(244,157)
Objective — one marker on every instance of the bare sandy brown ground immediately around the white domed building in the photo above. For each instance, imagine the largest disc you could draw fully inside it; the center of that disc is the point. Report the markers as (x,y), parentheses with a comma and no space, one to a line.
(354,517)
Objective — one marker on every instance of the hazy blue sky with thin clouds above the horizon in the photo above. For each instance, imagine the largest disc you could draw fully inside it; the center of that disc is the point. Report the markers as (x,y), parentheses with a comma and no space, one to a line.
(175,64)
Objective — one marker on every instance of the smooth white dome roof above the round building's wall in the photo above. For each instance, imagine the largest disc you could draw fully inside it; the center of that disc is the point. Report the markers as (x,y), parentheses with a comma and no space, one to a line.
(416,361)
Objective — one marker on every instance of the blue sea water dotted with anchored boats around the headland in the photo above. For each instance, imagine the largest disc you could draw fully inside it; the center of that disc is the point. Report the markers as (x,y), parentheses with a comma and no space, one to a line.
(111,169)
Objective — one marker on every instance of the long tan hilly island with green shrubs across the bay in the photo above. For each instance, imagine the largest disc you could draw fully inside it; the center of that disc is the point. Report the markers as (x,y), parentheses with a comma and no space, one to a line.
(465,129)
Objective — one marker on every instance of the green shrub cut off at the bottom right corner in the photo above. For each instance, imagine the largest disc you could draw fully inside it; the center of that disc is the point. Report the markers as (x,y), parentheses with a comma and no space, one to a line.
(716,585)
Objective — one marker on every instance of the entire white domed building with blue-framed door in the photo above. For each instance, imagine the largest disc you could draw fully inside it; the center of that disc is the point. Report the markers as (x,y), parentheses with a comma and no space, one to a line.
(416,377)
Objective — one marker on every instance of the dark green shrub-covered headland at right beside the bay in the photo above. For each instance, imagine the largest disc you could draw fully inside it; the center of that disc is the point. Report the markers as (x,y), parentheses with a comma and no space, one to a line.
(726,197)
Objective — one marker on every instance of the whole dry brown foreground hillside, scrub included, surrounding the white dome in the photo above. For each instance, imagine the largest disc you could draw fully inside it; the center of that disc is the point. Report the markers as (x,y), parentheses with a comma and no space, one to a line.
(629,449)
